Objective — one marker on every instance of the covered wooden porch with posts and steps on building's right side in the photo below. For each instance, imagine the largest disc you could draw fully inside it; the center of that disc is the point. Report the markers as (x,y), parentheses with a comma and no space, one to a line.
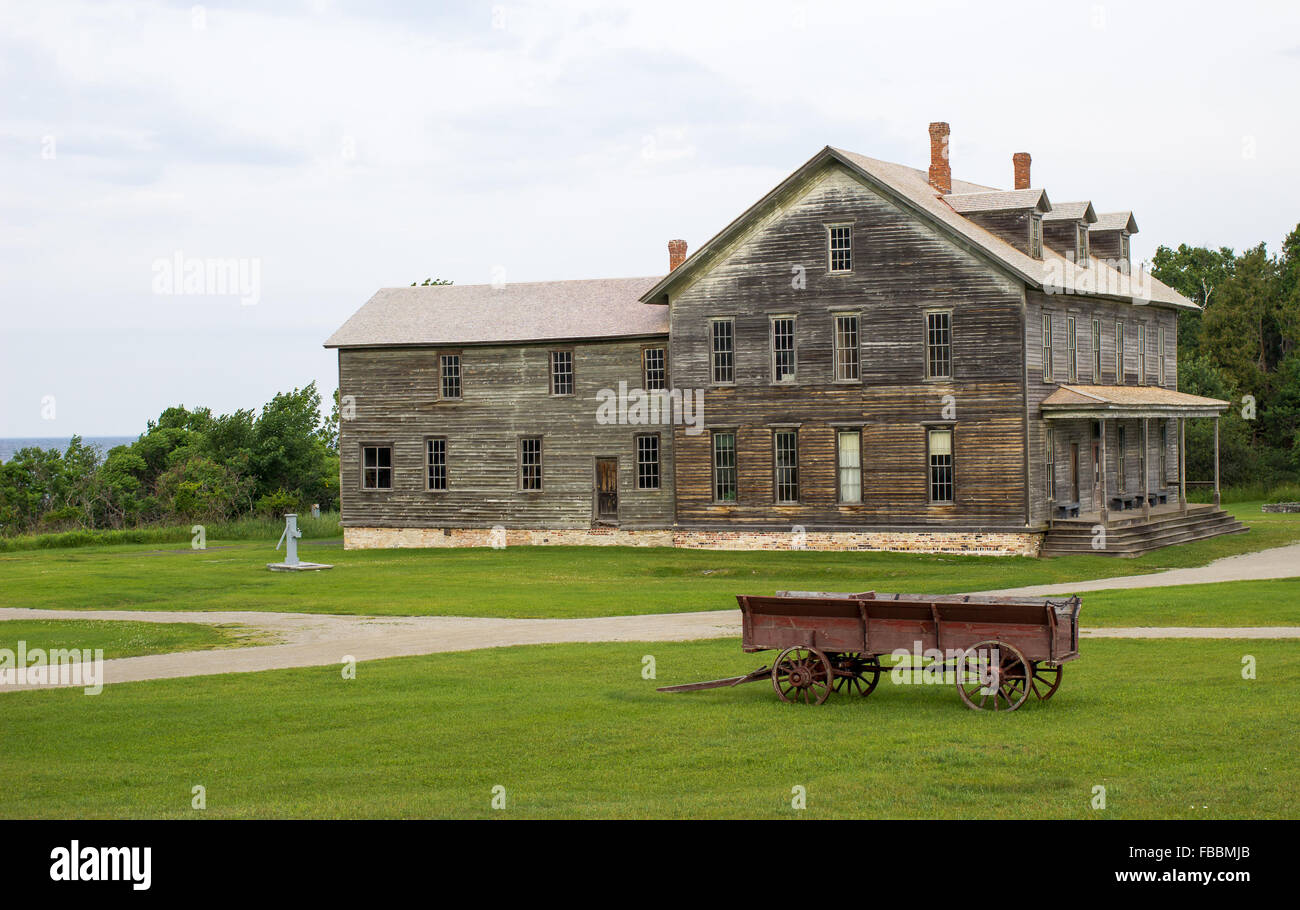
(1126,469)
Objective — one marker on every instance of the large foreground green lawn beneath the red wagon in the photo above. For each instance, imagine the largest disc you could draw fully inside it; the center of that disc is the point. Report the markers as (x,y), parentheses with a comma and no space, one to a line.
(1168,727)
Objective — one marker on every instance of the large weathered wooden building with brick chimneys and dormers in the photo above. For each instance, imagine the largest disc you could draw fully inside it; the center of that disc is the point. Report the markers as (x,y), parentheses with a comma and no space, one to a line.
(872,357)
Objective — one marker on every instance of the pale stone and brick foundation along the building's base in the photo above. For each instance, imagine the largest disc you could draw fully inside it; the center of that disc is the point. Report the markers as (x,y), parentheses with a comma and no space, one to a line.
(985,544)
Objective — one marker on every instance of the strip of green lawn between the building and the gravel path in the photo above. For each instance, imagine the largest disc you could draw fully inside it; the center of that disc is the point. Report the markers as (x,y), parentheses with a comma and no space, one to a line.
(544,582)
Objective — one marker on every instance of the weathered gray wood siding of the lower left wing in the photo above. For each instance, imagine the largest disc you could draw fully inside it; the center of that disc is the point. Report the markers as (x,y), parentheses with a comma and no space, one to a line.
(505,396)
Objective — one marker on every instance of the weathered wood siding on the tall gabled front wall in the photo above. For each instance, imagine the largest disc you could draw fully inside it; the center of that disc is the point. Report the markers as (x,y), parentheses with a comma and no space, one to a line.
(902,270)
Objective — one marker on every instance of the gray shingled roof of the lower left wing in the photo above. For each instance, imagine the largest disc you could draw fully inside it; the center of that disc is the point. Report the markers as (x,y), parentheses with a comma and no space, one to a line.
(482,314)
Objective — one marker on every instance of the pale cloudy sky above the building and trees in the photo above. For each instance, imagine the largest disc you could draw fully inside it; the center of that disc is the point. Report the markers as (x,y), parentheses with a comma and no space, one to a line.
(313,153)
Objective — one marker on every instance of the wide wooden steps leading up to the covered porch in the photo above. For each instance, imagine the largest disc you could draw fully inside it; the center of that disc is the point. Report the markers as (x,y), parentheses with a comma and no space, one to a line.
(1132,536)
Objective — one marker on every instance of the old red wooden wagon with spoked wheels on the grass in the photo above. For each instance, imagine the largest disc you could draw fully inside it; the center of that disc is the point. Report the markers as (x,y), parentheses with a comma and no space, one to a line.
(996,651)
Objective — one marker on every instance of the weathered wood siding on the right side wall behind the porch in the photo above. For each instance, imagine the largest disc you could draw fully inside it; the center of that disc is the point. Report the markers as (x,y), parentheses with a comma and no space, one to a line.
(1085,310)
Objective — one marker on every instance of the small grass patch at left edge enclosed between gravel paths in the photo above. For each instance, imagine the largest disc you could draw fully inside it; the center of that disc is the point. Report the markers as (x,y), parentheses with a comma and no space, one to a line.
(122,639)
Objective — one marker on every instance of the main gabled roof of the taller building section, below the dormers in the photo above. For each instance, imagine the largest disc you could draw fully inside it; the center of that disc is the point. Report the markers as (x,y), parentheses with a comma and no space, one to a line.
(911,189)
